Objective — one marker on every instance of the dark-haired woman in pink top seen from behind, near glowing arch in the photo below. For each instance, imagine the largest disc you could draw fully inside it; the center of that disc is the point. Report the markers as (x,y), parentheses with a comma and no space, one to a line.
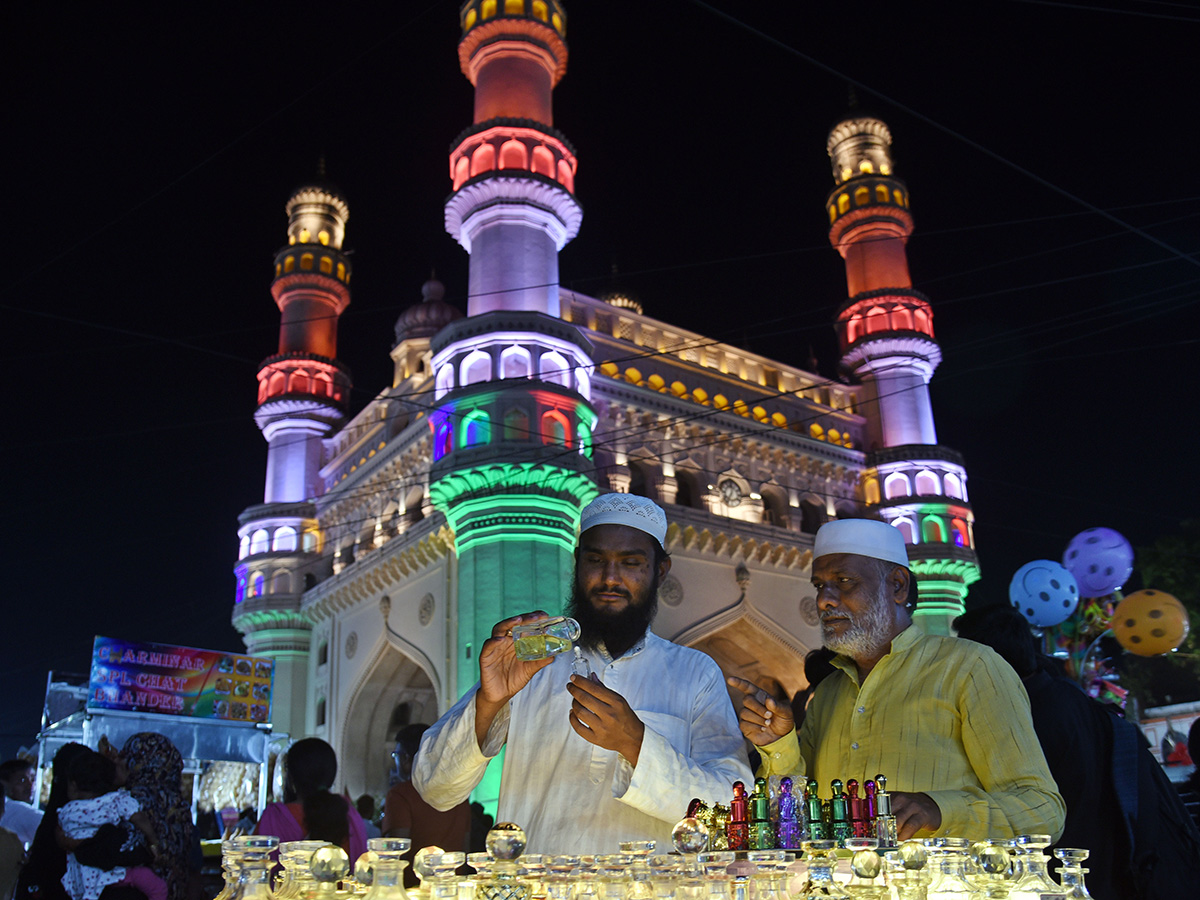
(310,811)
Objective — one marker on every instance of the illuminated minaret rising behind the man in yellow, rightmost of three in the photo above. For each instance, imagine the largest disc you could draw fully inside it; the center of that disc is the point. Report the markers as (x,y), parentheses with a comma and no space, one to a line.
(886,332)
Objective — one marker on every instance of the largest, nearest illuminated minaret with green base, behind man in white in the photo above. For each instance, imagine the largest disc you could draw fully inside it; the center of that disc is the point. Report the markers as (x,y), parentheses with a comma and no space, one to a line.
(513,424)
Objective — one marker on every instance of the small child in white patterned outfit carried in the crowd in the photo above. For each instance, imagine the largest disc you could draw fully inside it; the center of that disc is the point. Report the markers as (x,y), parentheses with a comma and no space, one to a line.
(95,802)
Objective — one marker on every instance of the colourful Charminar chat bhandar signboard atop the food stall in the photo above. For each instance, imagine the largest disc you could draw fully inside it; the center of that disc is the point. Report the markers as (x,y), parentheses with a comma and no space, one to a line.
(179,681)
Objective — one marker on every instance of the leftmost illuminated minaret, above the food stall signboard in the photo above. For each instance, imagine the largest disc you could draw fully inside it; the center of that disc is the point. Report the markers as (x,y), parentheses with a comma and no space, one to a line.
(303,392)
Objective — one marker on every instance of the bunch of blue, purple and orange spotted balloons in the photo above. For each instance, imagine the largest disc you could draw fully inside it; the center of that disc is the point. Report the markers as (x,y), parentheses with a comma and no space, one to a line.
(1079,602)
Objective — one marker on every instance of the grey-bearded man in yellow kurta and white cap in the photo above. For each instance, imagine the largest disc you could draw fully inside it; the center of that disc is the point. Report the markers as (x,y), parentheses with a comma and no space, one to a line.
(946,721)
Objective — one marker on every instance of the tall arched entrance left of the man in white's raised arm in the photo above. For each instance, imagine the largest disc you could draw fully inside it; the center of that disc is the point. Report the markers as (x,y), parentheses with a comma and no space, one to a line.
(398,692)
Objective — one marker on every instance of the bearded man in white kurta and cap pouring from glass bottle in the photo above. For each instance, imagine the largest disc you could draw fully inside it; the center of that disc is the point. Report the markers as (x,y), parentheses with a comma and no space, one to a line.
(616,757)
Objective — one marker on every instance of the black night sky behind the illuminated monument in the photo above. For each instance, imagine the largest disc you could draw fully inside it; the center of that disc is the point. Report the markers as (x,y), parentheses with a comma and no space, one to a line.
(151,152)
